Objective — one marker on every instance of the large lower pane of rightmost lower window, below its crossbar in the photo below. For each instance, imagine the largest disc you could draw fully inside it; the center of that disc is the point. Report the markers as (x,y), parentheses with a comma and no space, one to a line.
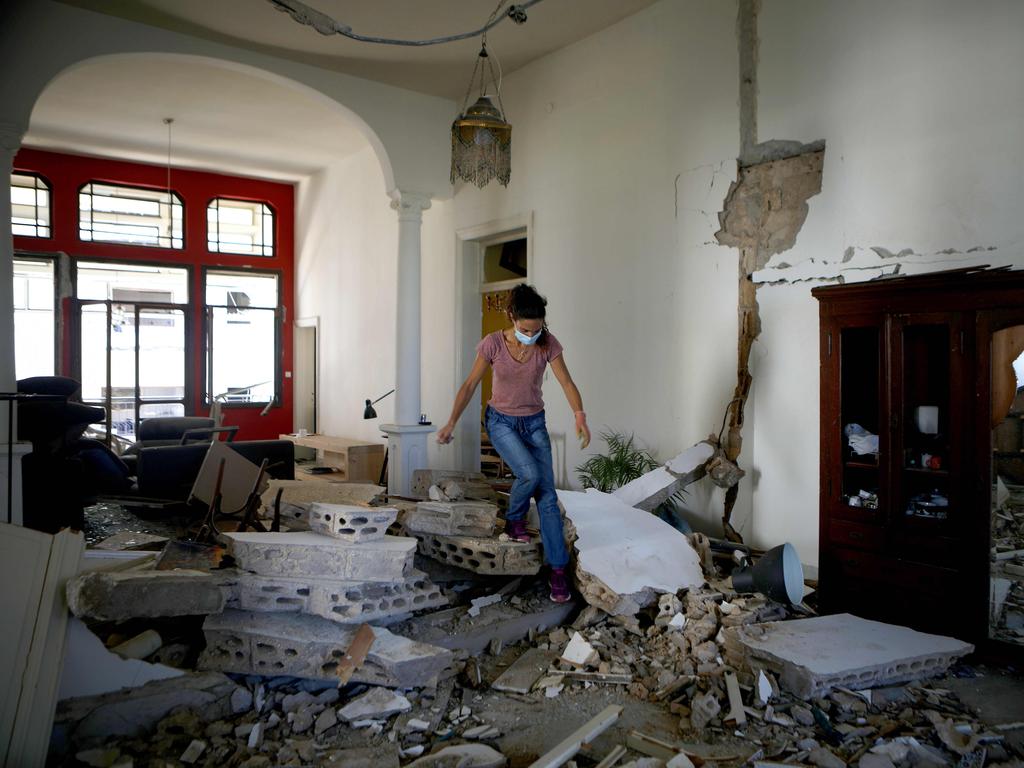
(242,352)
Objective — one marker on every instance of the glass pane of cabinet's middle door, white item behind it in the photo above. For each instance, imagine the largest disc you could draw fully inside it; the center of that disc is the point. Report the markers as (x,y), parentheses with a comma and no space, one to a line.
(925,483)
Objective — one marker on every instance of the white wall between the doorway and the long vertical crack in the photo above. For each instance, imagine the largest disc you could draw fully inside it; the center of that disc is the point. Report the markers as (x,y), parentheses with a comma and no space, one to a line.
(606,134)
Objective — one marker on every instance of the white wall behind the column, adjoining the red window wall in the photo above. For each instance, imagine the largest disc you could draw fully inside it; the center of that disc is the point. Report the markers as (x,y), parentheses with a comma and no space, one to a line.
(347,254)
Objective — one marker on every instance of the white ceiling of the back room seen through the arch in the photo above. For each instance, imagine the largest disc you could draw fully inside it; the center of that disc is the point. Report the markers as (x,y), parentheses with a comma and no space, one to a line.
(224,120)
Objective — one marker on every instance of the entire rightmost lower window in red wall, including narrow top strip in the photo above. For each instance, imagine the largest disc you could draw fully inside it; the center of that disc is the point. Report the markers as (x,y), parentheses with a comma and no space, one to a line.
(242,336)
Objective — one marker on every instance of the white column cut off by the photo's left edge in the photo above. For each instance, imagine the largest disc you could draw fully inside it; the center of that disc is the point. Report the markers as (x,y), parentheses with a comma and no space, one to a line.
(11,142)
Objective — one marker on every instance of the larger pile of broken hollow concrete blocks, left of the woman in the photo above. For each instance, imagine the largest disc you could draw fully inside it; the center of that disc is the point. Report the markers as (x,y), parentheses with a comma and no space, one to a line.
(294,589)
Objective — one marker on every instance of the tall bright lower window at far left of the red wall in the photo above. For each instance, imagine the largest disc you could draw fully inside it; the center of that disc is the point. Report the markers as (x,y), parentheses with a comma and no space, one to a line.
(34,319)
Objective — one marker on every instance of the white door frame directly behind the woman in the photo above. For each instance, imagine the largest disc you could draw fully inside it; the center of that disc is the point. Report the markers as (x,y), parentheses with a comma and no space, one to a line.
(470,245)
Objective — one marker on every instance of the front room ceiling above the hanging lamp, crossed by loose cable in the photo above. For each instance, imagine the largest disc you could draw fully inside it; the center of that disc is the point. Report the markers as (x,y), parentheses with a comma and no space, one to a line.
(438,70)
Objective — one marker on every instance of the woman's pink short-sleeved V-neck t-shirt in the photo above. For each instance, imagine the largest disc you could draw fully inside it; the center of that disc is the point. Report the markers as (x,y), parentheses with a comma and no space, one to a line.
(517,387)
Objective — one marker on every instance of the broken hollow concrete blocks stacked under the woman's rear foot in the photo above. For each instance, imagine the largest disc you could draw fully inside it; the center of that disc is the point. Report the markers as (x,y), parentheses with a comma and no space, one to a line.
(463,534)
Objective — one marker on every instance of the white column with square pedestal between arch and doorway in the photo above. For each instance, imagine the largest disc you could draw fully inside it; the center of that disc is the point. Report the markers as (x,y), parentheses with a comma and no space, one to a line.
(407,440)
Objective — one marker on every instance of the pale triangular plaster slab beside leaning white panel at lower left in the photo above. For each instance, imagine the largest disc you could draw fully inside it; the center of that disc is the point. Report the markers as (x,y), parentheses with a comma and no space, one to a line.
(91,669)
